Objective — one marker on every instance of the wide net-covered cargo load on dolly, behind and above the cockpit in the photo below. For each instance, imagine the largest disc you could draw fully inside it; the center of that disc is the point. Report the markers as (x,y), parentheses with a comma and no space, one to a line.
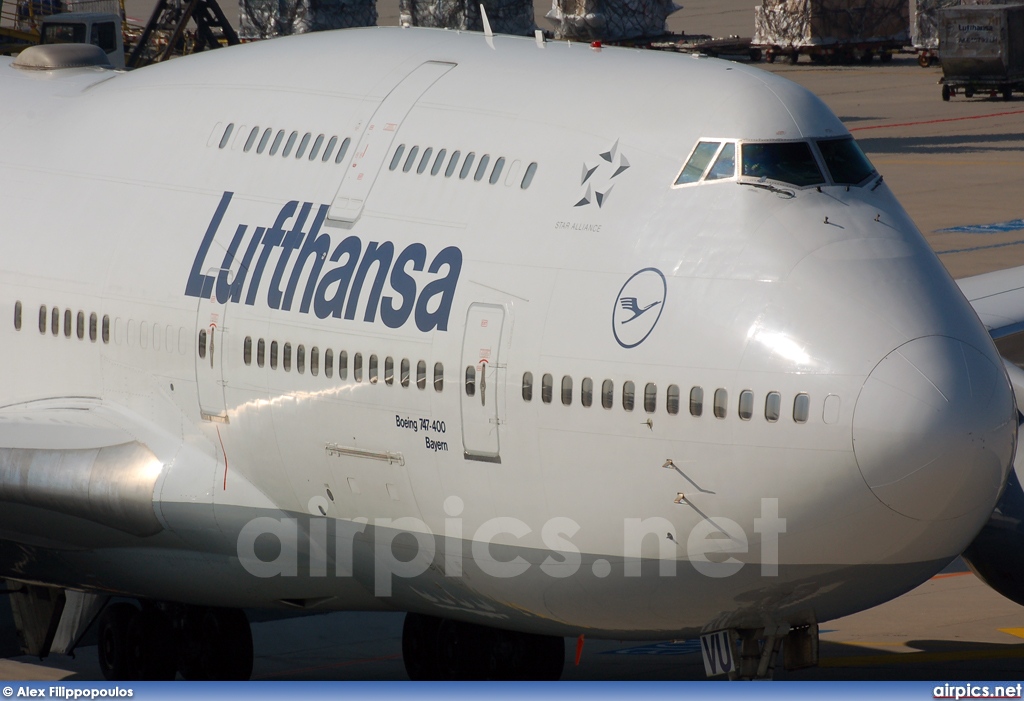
(833,31)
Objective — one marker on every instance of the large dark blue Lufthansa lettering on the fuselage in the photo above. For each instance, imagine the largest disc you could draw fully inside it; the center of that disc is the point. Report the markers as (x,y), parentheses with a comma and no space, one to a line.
(333,286)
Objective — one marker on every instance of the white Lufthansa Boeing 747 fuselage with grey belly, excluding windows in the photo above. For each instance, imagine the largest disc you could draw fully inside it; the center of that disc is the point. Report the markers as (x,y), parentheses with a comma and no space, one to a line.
(121,196)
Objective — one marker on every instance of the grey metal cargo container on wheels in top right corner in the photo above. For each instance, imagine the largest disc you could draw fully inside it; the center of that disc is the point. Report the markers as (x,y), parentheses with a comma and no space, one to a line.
(983,51)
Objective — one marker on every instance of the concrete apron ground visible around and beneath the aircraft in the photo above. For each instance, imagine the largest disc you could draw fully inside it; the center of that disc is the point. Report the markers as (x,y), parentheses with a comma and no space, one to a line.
(957,165)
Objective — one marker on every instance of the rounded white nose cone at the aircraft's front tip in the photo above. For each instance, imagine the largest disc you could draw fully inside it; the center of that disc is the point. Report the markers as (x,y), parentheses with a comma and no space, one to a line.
(934,430)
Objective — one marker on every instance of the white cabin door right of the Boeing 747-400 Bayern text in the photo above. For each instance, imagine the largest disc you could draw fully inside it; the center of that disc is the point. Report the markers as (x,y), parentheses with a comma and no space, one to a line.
(484,375)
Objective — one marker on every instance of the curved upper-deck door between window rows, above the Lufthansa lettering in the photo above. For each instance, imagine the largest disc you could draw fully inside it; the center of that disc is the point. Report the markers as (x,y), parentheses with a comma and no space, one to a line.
(375,143)
